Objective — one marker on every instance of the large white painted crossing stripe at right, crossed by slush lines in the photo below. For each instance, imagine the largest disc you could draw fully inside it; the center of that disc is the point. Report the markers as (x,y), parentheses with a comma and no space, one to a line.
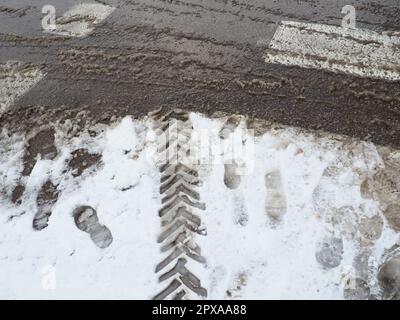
(359,52)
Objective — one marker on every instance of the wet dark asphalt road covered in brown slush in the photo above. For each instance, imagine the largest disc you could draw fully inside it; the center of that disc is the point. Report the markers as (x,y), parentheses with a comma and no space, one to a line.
(203,55)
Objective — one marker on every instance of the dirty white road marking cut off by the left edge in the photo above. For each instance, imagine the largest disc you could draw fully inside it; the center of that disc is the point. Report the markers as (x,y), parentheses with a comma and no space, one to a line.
(16,79)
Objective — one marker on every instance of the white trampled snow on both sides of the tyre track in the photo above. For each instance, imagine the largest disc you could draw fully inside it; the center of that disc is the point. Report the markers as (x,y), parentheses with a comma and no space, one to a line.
(299,215)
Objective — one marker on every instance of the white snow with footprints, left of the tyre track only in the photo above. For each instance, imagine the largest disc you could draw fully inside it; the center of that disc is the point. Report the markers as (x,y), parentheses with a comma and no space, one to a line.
(78,264)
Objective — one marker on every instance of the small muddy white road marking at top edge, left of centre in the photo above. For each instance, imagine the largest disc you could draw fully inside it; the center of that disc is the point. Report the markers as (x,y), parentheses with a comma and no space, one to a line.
(81,20)
